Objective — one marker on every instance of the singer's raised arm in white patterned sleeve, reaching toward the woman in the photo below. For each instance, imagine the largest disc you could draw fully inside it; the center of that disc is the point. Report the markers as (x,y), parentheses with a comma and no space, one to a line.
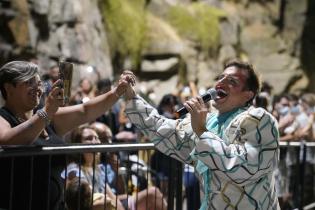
(172,137)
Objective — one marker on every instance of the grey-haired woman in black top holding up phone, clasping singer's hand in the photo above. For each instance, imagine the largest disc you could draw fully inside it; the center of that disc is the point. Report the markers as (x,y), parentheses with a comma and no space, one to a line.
(24,183)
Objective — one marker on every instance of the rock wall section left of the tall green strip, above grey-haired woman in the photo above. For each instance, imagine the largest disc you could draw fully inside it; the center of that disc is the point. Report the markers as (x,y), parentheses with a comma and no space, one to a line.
(49,30)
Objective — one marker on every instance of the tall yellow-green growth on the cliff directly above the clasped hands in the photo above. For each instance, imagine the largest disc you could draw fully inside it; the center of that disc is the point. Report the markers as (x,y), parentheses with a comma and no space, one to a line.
(126,26)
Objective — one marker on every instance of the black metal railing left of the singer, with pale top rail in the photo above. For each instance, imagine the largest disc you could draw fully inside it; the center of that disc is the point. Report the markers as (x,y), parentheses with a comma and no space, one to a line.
(16,153)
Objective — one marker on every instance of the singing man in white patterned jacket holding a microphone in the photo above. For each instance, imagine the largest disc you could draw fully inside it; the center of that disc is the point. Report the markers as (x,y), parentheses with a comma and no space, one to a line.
(234,150)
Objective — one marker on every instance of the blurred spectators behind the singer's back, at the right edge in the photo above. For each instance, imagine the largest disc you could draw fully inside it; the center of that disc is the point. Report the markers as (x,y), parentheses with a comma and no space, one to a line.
(295,173)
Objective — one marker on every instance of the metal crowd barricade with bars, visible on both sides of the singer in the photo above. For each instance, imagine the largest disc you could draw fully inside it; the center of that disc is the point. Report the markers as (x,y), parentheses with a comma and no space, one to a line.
(174,195)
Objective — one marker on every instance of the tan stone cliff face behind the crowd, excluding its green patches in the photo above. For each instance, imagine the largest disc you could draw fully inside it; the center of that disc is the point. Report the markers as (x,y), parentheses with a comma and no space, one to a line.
(266,33)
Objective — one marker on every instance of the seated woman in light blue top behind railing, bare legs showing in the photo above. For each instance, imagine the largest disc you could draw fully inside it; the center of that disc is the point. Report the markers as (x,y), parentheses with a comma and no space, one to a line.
(103,175)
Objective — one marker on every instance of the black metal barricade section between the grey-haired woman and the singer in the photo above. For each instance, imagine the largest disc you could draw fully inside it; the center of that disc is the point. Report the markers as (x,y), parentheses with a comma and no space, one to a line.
(14,155)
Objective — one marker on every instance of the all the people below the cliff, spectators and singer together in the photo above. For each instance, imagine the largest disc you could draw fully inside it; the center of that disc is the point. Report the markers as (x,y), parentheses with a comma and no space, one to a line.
(231,144)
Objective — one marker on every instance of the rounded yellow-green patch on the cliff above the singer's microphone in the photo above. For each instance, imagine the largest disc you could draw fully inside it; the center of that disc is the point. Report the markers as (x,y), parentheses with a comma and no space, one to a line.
(198,22)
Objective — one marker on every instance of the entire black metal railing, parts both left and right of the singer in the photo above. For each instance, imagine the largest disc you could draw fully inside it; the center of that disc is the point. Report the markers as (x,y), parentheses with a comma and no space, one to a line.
(173,193)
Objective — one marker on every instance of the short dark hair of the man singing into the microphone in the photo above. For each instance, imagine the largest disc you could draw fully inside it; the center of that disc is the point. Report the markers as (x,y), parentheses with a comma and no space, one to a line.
(252,82)
